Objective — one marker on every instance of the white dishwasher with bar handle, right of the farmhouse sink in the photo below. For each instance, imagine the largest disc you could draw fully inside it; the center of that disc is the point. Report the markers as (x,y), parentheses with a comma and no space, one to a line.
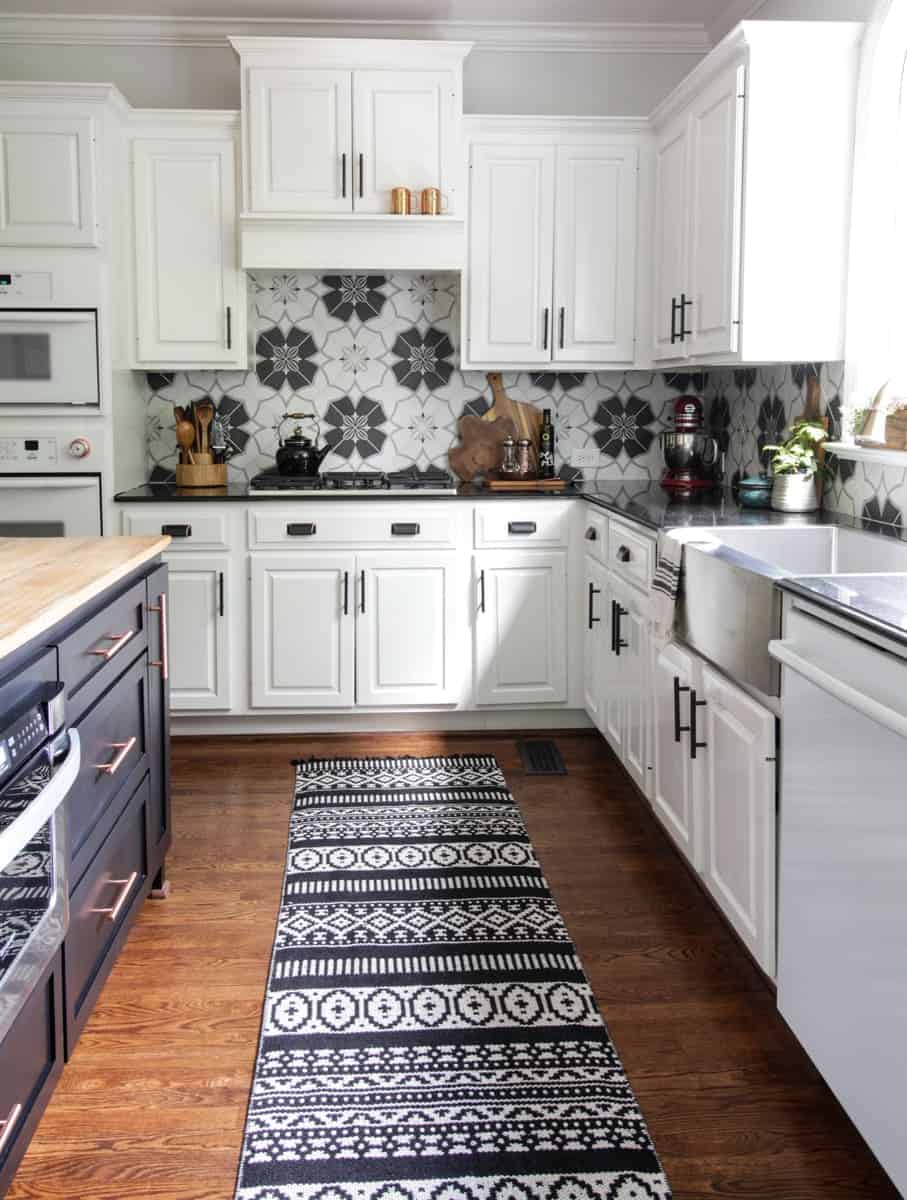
(843,867)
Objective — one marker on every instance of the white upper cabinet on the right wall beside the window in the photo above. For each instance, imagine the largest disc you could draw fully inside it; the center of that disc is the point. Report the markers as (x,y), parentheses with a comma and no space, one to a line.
(734,209)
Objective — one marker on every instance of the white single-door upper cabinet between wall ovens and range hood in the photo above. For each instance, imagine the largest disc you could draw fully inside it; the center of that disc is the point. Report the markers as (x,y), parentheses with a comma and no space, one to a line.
(190,293)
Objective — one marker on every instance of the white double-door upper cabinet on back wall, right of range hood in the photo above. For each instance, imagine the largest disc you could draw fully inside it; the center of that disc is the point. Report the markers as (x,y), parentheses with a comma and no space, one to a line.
(554,249)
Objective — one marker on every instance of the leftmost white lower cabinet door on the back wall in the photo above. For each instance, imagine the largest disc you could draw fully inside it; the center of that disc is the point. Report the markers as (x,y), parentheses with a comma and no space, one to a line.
(201,595)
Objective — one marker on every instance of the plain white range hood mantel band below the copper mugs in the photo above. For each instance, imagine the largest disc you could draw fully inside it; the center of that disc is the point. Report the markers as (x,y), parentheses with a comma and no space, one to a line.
(353,243)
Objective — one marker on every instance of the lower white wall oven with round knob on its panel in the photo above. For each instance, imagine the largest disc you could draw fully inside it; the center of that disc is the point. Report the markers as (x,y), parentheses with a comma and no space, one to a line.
(50,485)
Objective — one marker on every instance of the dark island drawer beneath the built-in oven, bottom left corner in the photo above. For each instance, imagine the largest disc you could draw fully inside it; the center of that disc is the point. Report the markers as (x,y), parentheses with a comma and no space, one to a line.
(31,1063)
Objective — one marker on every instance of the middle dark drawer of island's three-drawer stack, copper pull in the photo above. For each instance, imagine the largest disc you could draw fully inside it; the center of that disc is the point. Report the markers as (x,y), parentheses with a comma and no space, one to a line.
(113,752)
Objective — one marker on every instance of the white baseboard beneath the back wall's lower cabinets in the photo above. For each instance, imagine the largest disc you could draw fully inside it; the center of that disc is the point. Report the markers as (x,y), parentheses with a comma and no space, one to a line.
(385,723)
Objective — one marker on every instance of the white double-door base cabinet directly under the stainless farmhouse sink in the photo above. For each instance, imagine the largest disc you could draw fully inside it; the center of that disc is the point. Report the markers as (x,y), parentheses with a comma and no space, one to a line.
(716,790)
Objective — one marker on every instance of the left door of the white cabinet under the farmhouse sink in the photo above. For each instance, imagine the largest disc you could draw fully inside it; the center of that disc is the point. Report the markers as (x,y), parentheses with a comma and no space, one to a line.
(675,802)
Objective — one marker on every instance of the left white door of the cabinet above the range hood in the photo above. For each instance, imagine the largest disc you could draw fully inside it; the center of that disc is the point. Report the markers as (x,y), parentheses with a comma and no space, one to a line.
(301,140)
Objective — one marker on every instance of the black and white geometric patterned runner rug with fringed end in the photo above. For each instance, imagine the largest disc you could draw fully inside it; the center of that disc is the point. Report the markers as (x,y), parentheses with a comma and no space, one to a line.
(429,1033)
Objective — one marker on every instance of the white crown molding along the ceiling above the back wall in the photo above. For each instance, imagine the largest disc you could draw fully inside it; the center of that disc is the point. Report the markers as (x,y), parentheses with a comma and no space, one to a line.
(596,38)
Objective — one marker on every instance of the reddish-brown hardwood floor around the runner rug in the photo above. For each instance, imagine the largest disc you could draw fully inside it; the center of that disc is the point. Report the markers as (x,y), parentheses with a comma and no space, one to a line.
(154,1100)
